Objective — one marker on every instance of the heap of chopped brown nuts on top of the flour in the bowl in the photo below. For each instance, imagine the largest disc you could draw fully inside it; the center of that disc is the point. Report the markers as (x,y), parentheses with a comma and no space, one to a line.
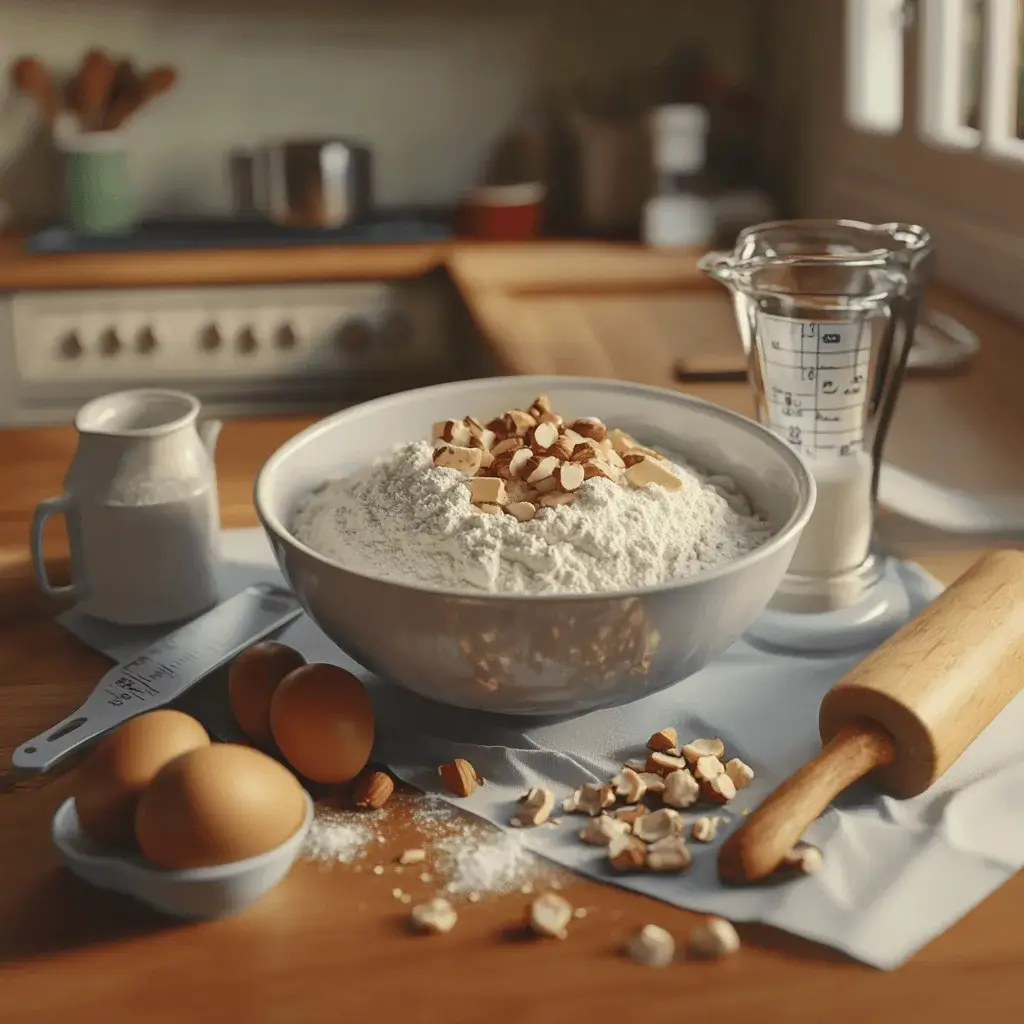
(529,459)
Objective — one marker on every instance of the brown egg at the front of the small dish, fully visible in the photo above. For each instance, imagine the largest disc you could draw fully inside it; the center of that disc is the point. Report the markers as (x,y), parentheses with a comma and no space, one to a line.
(218,805)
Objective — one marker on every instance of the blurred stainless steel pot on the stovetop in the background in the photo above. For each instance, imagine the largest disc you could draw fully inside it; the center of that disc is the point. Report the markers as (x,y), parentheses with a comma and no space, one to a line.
(307,183)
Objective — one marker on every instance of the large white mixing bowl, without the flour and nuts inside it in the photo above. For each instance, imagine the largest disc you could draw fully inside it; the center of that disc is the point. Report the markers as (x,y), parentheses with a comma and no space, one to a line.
(418,636)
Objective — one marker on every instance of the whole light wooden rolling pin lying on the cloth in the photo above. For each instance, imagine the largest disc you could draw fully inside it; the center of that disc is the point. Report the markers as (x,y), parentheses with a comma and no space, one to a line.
(906,713)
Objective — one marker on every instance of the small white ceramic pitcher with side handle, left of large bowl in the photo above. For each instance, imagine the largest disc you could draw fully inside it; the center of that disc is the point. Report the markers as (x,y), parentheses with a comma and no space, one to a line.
(142,510)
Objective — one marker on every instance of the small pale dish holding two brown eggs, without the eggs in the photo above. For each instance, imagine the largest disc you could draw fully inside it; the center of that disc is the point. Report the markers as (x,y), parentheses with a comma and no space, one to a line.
(196,893)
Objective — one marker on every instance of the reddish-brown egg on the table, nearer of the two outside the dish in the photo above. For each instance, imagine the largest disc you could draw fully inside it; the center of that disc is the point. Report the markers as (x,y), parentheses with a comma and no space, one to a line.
(323,723)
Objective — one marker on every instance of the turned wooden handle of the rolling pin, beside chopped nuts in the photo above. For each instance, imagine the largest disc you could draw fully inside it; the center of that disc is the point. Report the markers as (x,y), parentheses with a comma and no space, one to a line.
(758,847)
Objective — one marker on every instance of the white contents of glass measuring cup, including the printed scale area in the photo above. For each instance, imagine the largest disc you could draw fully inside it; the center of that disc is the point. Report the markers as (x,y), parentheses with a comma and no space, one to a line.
(816,389)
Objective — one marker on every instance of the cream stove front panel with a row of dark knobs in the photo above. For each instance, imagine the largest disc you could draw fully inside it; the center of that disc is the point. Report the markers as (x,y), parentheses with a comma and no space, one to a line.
(242,350)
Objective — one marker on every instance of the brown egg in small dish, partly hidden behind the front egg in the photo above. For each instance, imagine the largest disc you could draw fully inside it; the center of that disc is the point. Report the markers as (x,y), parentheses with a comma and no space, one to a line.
(123,764)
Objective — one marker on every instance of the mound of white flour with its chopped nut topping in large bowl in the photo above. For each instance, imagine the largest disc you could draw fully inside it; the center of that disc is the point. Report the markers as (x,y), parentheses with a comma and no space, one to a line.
(530,502)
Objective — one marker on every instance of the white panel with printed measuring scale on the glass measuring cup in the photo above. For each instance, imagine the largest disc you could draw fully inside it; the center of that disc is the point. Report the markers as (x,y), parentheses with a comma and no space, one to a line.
(816,375)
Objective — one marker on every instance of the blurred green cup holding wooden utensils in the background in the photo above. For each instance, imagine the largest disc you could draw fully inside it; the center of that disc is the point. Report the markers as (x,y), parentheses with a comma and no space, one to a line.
(98,189)
